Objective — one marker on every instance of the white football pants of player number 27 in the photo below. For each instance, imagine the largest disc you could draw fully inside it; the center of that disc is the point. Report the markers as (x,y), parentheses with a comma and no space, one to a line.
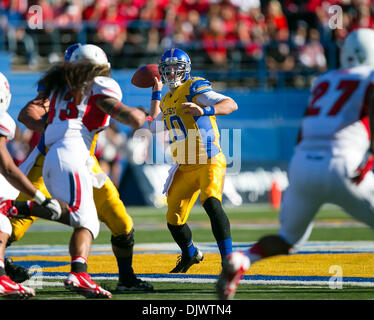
(316,178)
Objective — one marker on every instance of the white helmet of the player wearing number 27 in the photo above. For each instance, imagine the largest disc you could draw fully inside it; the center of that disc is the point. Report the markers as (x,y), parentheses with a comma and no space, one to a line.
(358,49)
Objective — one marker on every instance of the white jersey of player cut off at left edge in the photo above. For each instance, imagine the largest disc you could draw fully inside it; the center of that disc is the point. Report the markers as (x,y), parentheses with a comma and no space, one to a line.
(7,129)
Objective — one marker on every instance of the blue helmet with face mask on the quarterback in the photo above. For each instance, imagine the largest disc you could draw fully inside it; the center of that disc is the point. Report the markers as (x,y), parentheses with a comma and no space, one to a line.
(177,61)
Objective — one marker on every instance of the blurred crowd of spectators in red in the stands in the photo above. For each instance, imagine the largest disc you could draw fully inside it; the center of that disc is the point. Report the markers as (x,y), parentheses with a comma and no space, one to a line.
(218,34)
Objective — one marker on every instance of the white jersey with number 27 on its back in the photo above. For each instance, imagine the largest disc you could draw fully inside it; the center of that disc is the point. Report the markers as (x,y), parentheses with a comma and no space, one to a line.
(337,113)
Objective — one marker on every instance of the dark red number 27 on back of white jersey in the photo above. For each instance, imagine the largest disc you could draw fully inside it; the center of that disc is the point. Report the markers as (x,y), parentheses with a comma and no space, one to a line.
(347,87)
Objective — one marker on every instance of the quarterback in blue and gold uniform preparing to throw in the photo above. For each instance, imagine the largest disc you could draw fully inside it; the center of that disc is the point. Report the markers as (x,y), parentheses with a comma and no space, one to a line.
(188,112)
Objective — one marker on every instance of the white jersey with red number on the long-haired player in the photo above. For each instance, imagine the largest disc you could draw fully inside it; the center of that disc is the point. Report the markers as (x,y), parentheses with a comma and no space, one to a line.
(66,119)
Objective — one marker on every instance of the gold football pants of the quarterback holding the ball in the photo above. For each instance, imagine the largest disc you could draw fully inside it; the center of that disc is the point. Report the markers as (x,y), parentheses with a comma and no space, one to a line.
(188,182)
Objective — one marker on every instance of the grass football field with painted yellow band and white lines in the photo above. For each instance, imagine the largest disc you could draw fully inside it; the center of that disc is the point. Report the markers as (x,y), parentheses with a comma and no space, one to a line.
(248,224)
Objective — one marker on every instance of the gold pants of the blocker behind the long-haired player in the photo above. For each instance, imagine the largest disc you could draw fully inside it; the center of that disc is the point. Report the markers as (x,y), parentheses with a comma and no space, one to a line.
(109,206)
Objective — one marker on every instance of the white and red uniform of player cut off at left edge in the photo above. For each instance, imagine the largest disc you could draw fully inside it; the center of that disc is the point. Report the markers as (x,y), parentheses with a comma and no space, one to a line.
(7,191)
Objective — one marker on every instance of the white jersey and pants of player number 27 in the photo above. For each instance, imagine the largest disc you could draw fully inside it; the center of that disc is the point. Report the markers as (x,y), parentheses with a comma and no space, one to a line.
(335,138)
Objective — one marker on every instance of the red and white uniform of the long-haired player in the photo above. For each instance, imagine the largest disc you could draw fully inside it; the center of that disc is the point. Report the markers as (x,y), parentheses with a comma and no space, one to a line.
(69,136)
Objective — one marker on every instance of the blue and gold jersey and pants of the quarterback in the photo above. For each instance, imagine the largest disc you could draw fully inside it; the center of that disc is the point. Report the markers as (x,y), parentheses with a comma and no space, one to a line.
(194,143)
